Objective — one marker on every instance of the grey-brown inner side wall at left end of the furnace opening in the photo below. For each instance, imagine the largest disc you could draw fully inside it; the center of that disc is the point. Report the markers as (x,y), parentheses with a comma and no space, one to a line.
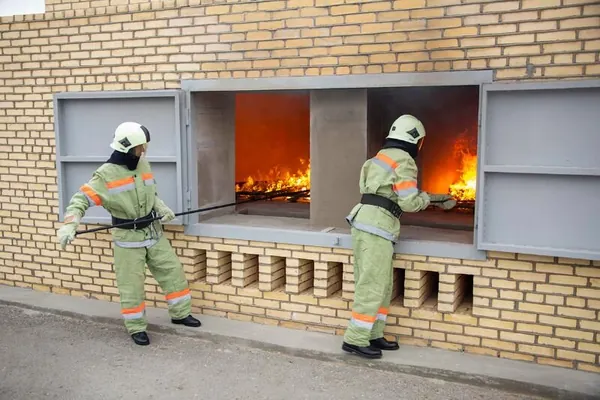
(214,129)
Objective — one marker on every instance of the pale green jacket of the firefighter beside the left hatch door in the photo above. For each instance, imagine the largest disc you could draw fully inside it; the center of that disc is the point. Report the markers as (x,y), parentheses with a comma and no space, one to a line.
(125,194)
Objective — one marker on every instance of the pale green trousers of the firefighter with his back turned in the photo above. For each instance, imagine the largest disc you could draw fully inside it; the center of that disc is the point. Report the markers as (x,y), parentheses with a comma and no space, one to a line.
(373,277)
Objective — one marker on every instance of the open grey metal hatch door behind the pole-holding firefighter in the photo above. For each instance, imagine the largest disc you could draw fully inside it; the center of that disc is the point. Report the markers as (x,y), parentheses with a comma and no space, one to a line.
(84,127)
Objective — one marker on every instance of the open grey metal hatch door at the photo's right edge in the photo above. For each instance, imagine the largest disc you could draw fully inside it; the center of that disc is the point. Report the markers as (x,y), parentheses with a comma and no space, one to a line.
(539,176)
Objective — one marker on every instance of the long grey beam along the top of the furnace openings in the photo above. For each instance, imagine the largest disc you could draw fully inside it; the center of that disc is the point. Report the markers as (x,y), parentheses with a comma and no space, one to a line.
(362,81)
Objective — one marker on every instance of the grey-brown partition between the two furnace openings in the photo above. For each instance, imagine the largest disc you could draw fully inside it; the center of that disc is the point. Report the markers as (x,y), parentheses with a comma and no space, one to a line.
(338,146)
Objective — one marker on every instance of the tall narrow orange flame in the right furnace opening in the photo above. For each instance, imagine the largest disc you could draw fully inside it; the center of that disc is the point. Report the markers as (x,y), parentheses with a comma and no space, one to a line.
(465,188)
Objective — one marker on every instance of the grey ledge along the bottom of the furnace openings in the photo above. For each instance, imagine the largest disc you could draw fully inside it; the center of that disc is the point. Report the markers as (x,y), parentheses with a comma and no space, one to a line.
(329,239)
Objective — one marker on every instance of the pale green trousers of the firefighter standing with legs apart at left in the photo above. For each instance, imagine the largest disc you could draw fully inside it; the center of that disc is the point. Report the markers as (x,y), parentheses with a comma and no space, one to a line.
(165,267)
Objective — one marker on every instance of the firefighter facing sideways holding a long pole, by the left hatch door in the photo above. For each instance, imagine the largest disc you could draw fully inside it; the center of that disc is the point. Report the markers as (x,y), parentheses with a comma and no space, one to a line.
(125,186)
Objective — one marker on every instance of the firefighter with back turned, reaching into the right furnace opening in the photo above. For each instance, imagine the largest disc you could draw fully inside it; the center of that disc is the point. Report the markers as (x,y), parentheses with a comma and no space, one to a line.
(388,184)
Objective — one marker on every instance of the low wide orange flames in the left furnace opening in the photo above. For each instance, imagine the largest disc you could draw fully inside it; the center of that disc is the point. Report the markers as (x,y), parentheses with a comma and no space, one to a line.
(277,179)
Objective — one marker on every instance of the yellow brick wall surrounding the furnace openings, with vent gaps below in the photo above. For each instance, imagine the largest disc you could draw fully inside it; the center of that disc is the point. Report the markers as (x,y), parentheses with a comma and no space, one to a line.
(538,309)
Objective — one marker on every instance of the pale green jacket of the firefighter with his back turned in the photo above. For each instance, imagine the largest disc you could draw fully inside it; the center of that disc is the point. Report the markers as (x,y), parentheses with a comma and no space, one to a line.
(392,173)
